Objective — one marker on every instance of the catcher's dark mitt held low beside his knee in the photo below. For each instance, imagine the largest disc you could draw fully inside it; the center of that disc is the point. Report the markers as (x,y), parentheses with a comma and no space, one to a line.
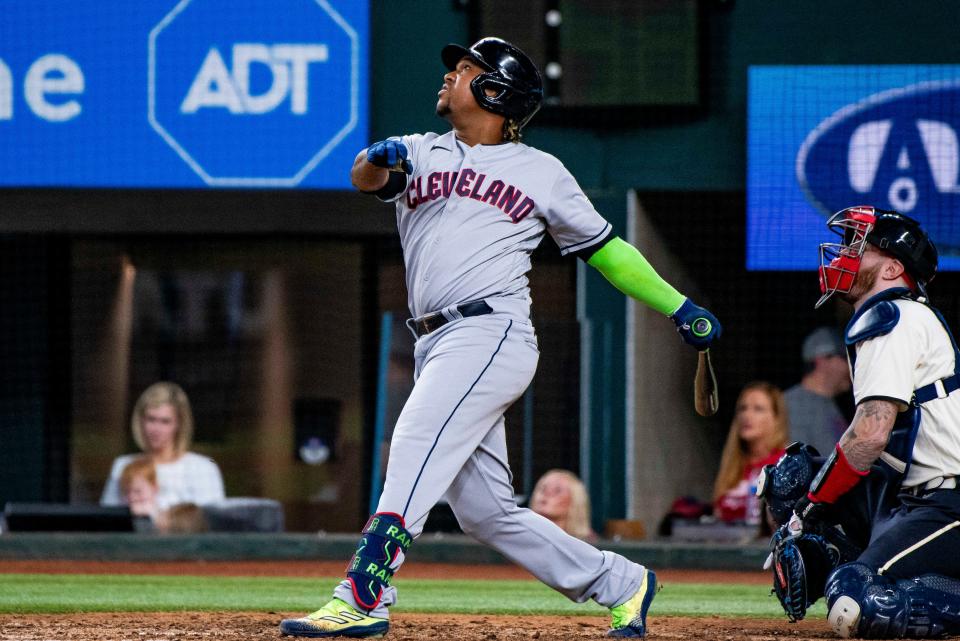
(801,564)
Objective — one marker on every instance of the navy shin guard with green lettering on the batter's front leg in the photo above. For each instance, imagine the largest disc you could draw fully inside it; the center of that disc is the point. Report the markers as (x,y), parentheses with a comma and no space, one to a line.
(379,554)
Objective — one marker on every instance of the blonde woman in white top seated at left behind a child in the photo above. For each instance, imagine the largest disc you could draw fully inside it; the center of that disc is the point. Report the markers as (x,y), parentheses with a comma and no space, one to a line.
(162,426)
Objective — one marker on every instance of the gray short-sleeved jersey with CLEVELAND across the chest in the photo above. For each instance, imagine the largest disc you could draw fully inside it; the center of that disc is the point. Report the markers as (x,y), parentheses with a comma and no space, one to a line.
(470,217)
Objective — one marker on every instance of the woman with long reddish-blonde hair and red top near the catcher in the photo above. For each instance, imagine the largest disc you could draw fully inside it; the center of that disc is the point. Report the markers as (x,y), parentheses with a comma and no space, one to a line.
(758,436)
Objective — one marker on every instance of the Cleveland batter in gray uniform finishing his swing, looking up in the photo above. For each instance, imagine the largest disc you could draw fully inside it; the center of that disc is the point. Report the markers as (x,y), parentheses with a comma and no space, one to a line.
(472,204)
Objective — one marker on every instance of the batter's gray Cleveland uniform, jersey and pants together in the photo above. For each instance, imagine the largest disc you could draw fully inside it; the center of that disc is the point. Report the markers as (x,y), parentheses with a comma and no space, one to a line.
(468,221)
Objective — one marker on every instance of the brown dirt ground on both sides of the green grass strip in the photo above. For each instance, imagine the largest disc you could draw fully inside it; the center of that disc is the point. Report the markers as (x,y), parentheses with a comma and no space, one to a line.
(233,626)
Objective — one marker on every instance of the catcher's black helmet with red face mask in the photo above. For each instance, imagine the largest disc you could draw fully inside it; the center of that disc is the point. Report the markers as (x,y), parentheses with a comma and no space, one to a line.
(889,231)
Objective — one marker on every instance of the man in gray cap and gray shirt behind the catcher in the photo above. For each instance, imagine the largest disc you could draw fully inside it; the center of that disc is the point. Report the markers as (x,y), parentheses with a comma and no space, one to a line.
(815,418)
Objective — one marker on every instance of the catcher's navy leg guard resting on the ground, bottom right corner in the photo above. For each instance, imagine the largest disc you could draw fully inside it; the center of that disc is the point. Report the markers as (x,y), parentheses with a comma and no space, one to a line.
(865,604)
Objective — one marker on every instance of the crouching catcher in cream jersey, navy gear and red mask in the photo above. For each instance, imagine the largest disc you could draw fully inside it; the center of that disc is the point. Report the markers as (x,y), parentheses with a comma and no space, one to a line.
(874,526)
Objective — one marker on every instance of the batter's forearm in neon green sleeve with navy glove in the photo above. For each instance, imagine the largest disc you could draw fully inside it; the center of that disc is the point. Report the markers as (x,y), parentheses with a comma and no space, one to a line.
(627,270)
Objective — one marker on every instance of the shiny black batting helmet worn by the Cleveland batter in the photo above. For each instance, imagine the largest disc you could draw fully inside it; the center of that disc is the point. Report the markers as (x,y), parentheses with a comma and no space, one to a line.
(509,72)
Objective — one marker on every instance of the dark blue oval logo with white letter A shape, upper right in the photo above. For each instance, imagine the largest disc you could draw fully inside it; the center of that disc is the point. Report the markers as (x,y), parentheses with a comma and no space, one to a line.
(895,150)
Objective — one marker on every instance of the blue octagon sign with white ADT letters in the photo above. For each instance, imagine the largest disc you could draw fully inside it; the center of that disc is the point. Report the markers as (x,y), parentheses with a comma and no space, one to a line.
(253,92)
